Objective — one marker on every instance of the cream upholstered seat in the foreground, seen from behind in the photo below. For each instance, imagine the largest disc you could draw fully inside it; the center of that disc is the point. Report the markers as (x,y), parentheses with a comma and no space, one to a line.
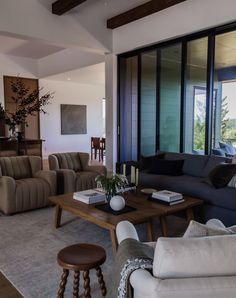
(186,267)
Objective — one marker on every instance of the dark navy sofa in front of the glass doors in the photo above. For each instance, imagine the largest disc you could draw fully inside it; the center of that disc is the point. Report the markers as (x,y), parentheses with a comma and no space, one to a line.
(218,203)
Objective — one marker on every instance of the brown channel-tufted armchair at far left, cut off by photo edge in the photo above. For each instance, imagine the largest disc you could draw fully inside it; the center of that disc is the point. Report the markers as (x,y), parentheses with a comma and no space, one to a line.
(24,185)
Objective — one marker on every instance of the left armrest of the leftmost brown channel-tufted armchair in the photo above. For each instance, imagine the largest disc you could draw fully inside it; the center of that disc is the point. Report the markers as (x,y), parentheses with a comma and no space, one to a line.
(7,198)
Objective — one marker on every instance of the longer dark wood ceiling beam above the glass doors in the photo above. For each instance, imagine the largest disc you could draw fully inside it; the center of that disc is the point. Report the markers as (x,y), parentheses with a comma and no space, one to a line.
(140,11)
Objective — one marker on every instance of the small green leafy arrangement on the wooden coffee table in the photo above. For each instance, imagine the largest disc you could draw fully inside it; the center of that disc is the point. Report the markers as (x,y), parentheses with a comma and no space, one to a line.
(112,184)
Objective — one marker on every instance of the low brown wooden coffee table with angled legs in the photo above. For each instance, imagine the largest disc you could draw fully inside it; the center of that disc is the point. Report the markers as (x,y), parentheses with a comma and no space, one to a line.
(145,211)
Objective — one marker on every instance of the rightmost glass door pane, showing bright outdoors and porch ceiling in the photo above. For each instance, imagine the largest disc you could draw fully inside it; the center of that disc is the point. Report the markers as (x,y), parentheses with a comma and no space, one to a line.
(224,124)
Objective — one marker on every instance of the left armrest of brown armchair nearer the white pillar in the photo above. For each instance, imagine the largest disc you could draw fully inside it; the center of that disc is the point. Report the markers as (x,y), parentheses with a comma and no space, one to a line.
(65,181)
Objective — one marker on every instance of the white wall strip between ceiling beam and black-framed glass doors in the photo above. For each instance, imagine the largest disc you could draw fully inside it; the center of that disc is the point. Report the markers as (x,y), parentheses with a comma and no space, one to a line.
(182,19)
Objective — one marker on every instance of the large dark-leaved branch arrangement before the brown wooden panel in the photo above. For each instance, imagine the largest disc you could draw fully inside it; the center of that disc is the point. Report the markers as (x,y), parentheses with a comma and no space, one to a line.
(26,103)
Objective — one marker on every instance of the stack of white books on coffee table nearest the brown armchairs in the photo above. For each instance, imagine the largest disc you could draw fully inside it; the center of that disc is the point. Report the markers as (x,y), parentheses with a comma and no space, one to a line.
(90,196)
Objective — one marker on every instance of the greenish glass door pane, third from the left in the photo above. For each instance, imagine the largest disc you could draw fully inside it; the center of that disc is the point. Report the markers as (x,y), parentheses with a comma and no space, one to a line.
(170,98)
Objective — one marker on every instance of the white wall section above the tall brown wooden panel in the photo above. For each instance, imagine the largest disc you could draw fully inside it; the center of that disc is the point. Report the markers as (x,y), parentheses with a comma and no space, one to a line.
(13,66)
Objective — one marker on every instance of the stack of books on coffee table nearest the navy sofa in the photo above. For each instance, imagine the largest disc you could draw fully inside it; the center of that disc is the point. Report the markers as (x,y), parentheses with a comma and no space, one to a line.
(167,197)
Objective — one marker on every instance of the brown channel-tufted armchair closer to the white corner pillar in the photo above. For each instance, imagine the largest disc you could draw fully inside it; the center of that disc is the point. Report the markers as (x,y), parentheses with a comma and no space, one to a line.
(73,171)
